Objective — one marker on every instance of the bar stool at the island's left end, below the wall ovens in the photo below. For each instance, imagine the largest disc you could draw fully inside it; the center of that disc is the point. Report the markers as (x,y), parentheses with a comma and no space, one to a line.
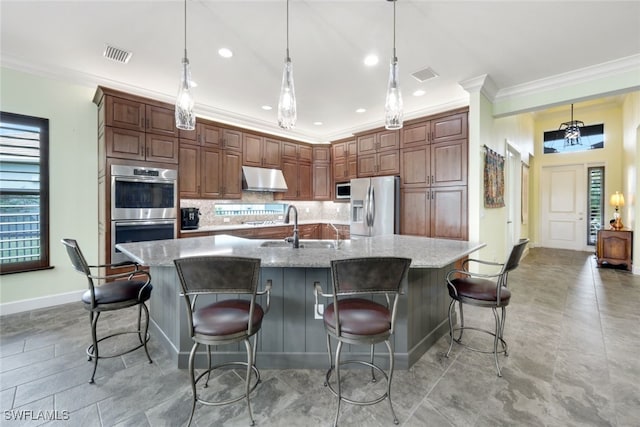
(121,290)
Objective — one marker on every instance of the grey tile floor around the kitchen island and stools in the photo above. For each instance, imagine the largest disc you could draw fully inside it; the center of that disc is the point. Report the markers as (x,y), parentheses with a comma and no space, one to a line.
(574,361)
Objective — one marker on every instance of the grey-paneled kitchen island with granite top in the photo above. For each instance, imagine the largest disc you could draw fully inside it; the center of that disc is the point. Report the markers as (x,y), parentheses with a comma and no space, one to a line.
(292,336)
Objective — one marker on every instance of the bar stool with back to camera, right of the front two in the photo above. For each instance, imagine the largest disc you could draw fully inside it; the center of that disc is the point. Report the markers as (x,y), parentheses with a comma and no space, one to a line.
(354,319)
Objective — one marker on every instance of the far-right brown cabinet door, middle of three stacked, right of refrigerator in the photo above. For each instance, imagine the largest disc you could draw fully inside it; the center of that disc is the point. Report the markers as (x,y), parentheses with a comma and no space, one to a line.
(449,163)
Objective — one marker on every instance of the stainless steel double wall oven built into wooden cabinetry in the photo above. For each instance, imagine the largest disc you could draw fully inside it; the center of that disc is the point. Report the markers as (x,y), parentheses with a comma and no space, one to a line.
(144,205)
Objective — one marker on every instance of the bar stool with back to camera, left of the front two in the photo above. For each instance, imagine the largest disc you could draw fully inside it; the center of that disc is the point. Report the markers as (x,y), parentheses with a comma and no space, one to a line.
(225,321)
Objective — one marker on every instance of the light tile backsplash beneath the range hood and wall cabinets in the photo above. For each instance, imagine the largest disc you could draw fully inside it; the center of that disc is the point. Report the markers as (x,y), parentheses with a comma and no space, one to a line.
(308,211)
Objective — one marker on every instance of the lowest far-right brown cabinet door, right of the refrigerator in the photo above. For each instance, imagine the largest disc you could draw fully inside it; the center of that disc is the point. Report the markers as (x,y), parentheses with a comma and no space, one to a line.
(449,212)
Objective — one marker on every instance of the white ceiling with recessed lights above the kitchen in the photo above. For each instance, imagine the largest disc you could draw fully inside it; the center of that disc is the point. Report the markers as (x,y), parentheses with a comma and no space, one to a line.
(515,42)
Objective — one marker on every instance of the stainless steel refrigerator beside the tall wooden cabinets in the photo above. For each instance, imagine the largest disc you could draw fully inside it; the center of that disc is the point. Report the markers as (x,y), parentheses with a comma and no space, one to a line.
(375,206)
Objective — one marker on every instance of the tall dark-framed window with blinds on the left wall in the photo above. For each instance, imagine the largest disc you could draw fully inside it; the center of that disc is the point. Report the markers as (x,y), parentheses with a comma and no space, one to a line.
(24,193)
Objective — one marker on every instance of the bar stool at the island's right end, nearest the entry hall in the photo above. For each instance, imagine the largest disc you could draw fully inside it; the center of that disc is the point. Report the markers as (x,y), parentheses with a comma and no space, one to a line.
(483,290)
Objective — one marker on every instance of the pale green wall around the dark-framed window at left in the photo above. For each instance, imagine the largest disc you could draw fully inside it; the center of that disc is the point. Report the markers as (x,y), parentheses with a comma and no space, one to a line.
(73,184)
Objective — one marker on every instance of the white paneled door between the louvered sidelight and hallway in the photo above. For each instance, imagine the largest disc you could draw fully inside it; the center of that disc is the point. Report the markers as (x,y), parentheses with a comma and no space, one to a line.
(563,203)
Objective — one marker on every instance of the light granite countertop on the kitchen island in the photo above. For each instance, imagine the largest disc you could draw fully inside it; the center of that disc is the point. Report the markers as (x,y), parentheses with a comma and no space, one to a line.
(425,252)
